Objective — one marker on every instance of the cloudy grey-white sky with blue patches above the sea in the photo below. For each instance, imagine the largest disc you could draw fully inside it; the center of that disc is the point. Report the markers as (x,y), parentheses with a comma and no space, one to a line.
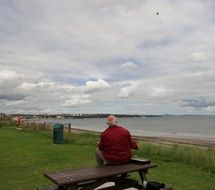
(115,56)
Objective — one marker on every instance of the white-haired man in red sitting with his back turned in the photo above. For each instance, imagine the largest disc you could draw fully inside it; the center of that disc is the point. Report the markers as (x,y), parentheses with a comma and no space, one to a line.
(115,144)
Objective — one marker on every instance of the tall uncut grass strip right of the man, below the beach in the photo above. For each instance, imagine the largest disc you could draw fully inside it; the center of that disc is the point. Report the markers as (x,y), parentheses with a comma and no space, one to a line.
(198,157)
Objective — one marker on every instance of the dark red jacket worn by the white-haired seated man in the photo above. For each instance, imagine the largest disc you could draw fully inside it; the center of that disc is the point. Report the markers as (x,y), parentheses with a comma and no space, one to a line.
(116,143)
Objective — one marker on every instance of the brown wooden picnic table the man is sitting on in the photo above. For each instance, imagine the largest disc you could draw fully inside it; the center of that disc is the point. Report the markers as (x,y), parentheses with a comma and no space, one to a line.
(93,177)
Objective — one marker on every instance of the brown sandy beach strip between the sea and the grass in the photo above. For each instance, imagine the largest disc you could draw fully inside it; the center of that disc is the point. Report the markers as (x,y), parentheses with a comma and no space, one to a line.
(165,140)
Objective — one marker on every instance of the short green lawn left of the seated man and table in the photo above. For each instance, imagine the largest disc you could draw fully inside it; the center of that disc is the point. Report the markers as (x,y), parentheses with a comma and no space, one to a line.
(25,155)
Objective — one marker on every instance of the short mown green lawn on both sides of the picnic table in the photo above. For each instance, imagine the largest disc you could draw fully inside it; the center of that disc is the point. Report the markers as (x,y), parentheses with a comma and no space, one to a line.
(26,154)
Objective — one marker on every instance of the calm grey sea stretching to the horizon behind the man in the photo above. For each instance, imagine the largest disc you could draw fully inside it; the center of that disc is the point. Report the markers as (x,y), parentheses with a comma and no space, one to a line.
(191,127)
